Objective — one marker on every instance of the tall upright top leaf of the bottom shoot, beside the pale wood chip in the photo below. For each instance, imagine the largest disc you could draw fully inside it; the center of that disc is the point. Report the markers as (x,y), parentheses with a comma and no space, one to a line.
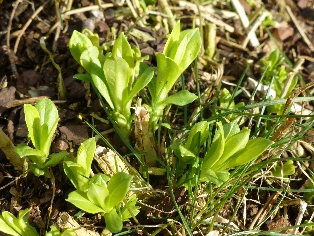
(85,155)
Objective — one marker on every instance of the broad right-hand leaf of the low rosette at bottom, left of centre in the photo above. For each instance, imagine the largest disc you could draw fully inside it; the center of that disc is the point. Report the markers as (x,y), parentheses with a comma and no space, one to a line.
(118,186)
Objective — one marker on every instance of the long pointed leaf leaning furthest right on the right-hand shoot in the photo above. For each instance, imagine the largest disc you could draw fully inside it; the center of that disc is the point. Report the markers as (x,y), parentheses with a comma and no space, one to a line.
(253,149)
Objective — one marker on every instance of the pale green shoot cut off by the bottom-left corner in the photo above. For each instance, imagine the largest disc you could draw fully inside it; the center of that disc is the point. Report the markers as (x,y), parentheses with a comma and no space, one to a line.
(19,226)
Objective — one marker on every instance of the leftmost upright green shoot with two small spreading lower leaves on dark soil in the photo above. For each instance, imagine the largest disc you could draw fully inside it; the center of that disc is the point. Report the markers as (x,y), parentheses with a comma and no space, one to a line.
(41,121)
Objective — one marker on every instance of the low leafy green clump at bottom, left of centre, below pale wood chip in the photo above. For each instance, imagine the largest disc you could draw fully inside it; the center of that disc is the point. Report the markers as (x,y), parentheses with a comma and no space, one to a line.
(99,194)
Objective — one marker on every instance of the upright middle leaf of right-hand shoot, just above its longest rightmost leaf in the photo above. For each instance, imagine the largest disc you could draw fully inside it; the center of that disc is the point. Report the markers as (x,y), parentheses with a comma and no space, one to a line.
(233,145)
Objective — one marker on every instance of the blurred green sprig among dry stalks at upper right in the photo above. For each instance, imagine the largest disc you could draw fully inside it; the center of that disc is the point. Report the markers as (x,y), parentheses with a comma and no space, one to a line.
(274,69)
